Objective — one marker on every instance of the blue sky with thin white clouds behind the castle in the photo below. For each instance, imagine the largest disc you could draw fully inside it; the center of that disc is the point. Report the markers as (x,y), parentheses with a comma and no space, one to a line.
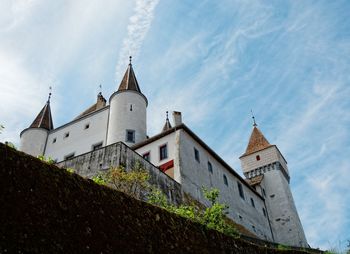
(214,61)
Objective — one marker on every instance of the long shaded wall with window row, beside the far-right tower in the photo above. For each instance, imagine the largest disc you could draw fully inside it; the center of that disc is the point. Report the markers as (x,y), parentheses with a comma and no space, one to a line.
(195,174)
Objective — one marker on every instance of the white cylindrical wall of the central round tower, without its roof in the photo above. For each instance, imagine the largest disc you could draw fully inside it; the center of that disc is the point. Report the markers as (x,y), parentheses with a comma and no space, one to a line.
(122,118)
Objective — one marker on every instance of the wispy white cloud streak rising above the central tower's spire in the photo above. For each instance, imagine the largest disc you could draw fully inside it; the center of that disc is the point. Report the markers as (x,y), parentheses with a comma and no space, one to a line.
(139,24)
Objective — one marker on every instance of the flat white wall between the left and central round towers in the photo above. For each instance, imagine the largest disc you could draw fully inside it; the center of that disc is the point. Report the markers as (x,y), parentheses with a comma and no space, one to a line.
(80,139)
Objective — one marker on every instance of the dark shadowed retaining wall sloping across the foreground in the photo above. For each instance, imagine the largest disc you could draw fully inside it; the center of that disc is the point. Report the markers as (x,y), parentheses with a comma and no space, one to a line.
(45,209)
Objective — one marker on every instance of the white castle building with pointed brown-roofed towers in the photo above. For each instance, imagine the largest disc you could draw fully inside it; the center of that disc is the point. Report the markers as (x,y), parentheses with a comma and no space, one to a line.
(262,203)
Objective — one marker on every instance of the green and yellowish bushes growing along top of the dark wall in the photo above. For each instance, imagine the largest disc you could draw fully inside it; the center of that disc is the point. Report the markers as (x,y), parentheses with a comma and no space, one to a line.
(135,183)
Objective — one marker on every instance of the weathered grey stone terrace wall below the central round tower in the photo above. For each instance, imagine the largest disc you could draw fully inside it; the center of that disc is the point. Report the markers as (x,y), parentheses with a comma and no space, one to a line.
(119,154)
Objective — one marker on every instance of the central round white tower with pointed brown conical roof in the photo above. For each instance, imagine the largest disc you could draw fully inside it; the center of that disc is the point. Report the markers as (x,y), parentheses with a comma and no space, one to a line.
(127,112)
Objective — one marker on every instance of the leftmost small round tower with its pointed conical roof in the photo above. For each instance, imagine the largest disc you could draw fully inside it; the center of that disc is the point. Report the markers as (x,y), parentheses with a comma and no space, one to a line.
(34,138)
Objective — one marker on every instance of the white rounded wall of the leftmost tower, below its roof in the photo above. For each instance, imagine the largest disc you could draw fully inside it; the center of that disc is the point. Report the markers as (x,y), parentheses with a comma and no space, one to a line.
(33,141)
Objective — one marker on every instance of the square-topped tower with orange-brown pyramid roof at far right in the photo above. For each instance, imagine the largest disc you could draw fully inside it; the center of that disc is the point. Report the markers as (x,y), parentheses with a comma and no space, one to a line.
(266,169)
